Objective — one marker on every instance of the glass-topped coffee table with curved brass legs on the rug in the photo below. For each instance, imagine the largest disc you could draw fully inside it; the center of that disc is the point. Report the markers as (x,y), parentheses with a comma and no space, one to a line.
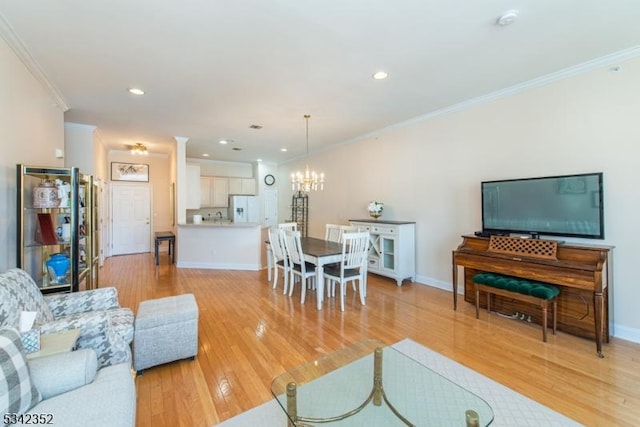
(370,384)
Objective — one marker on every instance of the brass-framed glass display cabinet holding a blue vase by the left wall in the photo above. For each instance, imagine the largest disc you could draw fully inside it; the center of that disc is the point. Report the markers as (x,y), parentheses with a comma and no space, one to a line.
(55,227)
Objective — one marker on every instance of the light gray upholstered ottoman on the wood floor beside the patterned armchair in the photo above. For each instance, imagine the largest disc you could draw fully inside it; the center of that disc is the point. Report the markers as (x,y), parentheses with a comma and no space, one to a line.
(165,329)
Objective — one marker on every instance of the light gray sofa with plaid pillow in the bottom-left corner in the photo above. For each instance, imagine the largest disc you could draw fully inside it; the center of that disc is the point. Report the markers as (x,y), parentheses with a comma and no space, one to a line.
(67,389)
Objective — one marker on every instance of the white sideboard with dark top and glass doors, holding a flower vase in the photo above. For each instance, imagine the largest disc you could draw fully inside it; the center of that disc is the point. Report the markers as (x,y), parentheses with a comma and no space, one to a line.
(392,248)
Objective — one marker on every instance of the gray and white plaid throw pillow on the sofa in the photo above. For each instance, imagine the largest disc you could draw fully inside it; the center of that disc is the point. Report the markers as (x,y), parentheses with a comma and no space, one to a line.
(17,393)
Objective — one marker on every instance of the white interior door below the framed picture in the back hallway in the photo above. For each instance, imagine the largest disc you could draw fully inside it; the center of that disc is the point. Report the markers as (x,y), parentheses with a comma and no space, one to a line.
(131,219)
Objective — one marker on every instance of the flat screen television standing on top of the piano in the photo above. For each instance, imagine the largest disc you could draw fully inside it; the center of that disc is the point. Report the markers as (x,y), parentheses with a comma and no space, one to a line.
(567,205)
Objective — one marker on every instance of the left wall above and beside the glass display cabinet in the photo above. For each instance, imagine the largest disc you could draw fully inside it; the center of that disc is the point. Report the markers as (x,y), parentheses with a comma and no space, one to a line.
(31,128)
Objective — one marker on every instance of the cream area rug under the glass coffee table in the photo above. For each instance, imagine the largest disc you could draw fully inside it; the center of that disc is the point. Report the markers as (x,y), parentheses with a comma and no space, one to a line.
(509,407)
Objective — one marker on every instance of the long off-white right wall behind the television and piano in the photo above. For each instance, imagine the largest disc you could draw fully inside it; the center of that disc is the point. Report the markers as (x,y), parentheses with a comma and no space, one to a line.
(430,171)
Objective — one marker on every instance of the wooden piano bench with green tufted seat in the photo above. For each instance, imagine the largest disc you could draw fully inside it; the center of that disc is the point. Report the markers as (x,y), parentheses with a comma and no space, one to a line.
(518,289)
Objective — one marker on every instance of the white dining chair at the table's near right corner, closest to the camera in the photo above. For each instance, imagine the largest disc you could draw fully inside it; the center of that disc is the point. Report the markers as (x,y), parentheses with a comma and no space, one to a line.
(355,247)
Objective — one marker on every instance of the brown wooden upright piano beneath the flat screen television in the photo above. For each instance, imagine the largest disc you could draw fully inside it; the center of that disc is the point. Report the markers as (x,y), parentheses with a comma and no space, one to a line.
(583,273)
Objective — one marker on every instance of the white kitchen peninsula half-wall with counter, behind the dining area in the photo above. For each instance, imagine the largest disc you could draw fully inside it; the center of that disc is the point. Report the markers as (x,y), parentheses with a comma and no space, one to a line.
(219,245)
